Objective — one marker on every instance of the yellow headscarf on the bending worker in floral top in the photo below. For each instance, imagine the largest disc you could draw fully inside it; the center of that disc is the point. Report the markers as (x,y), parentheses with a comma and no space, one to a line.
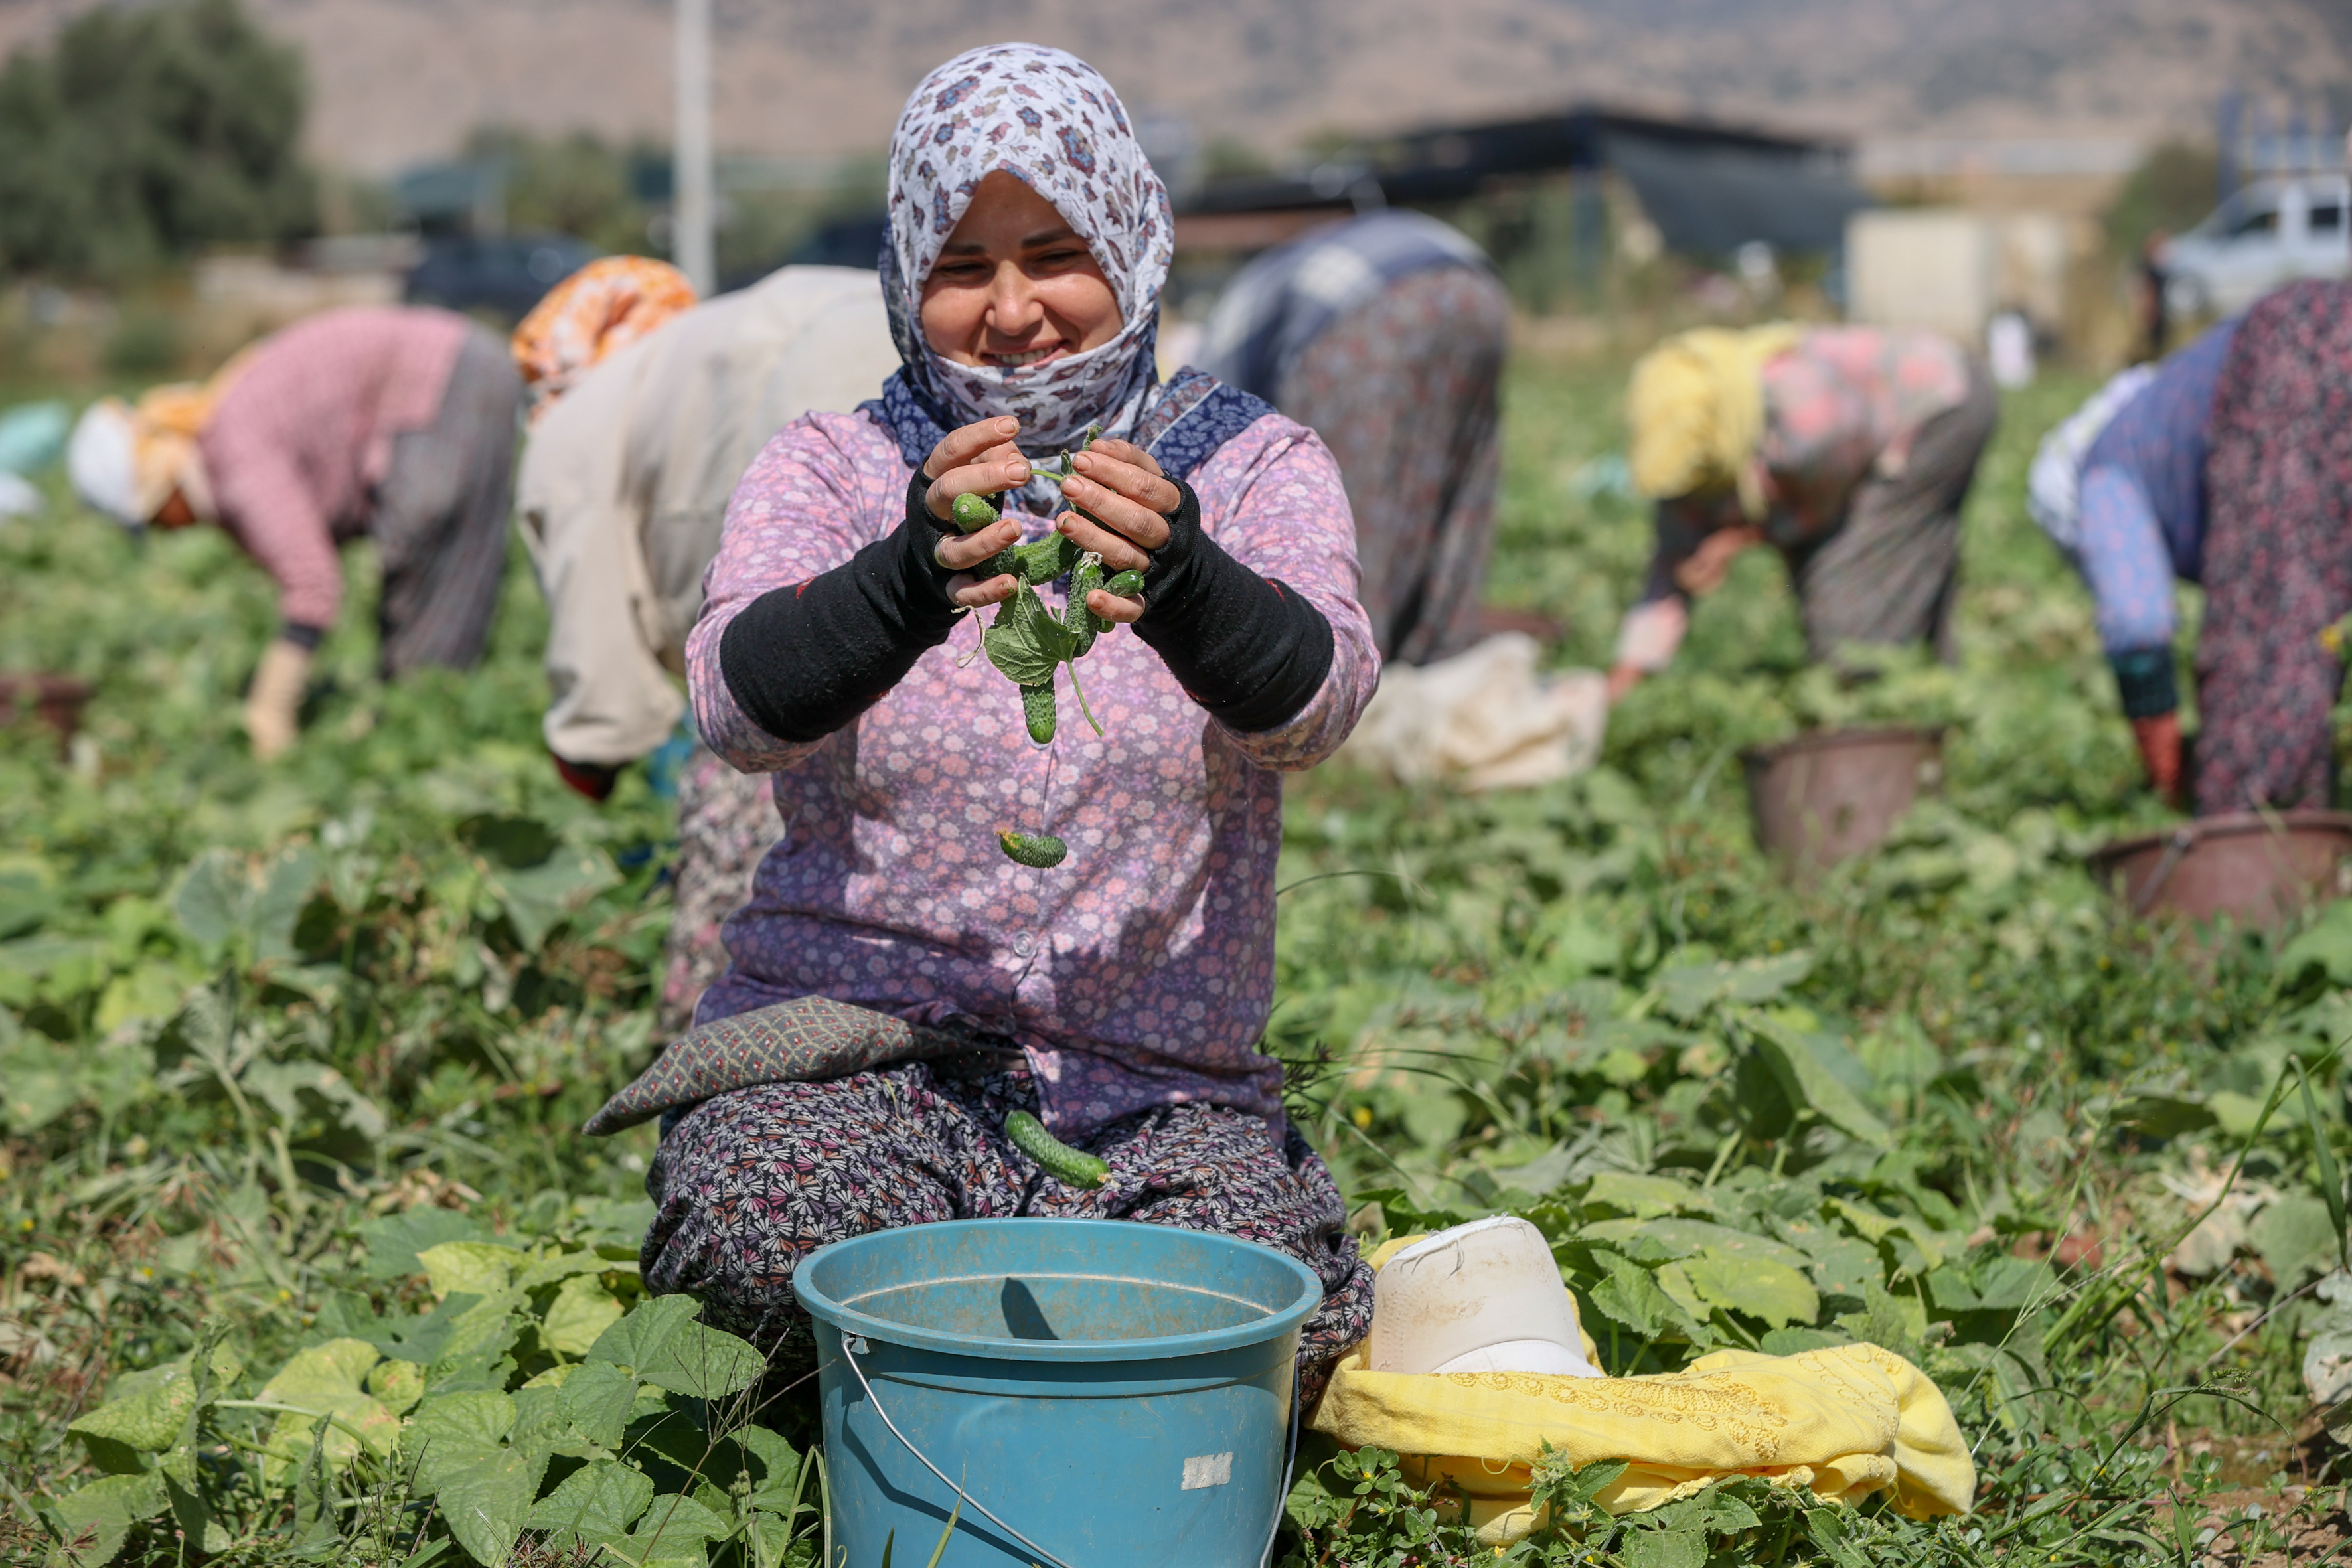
(1697,410)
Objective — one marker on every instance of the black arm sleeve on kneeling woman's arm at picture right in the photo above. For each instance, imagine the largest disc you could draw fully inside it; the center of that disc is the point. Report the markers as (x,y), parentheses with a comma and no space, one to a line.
(1248,650)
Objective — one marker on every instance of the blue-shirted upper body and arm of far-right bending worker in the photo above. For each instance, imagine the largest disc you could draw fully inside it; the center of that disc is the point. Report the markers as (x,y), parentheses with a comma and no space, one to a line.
(2120,488)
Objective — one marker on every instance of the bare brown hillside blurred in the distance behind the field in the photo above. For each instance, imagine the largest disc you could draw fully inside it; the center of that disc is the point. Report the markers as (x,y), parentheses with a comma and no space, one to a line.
(403,79)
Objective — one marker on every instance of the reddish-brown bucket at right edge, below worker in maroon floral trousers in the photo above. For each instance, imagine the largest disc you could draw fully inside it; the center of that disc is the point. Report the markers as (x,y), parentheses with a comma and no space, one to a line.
(2257,869)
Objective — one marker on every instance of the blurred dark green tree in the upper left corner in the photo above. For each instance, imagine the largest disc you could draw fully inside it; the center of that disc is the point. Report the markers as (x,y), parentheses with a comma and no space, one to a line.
(147,133)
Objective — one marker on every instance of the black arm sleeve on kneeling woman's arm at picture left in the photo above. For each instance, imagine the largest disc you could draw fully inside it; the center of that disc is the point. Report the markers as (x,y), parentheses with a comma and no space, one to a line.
(806,659)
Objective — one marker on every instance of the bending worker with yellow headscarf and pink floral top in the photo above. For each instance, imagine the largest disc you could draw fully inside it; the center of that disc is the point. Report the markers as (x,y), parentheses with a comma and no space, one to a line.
(1850,450)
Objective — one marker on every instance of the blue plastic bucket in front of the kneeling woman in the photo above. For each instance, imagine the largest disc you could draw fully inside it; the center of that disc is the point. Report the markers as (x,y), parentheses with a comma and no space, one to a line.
(1104,1395)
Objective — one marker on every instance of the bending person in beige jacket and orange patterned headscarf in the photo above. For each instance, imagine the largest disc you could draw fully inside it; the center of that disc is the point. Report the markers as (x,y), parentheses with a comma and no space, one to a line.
(624,485)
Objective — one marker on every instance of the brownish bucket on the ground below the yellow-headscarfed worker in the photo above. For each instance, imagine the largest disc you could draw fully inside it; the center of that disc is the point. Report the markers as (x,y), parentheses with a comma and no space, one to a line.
(1838,793)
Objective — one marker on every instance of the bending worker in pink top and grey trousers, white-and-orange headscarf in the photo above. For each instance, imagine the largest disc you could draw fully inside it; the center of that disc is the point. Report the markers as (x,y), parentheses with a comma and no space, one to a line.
(385,422)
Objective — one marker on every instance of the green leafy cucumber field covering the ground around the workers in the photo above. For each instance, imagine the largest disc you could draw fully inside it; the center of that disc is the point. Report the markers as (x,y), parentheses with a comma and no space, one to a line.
(307,1261)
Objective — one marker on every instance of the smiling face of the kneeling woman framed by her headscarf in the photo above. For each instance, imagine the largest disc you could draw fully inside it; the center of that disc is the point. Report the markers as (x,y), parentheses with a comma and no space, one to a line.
(1015,286)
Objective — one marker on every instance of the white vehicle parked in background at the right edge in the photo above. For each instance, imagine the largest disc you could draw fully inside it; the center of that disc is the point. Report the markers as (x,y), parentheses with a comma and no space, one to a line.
(2264,236)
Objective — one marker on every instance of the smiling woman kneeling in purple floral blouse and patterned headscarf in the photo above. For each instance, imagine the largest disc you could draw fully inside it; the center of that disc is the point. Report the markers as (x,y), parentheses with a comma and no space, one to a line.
(1118,996)
